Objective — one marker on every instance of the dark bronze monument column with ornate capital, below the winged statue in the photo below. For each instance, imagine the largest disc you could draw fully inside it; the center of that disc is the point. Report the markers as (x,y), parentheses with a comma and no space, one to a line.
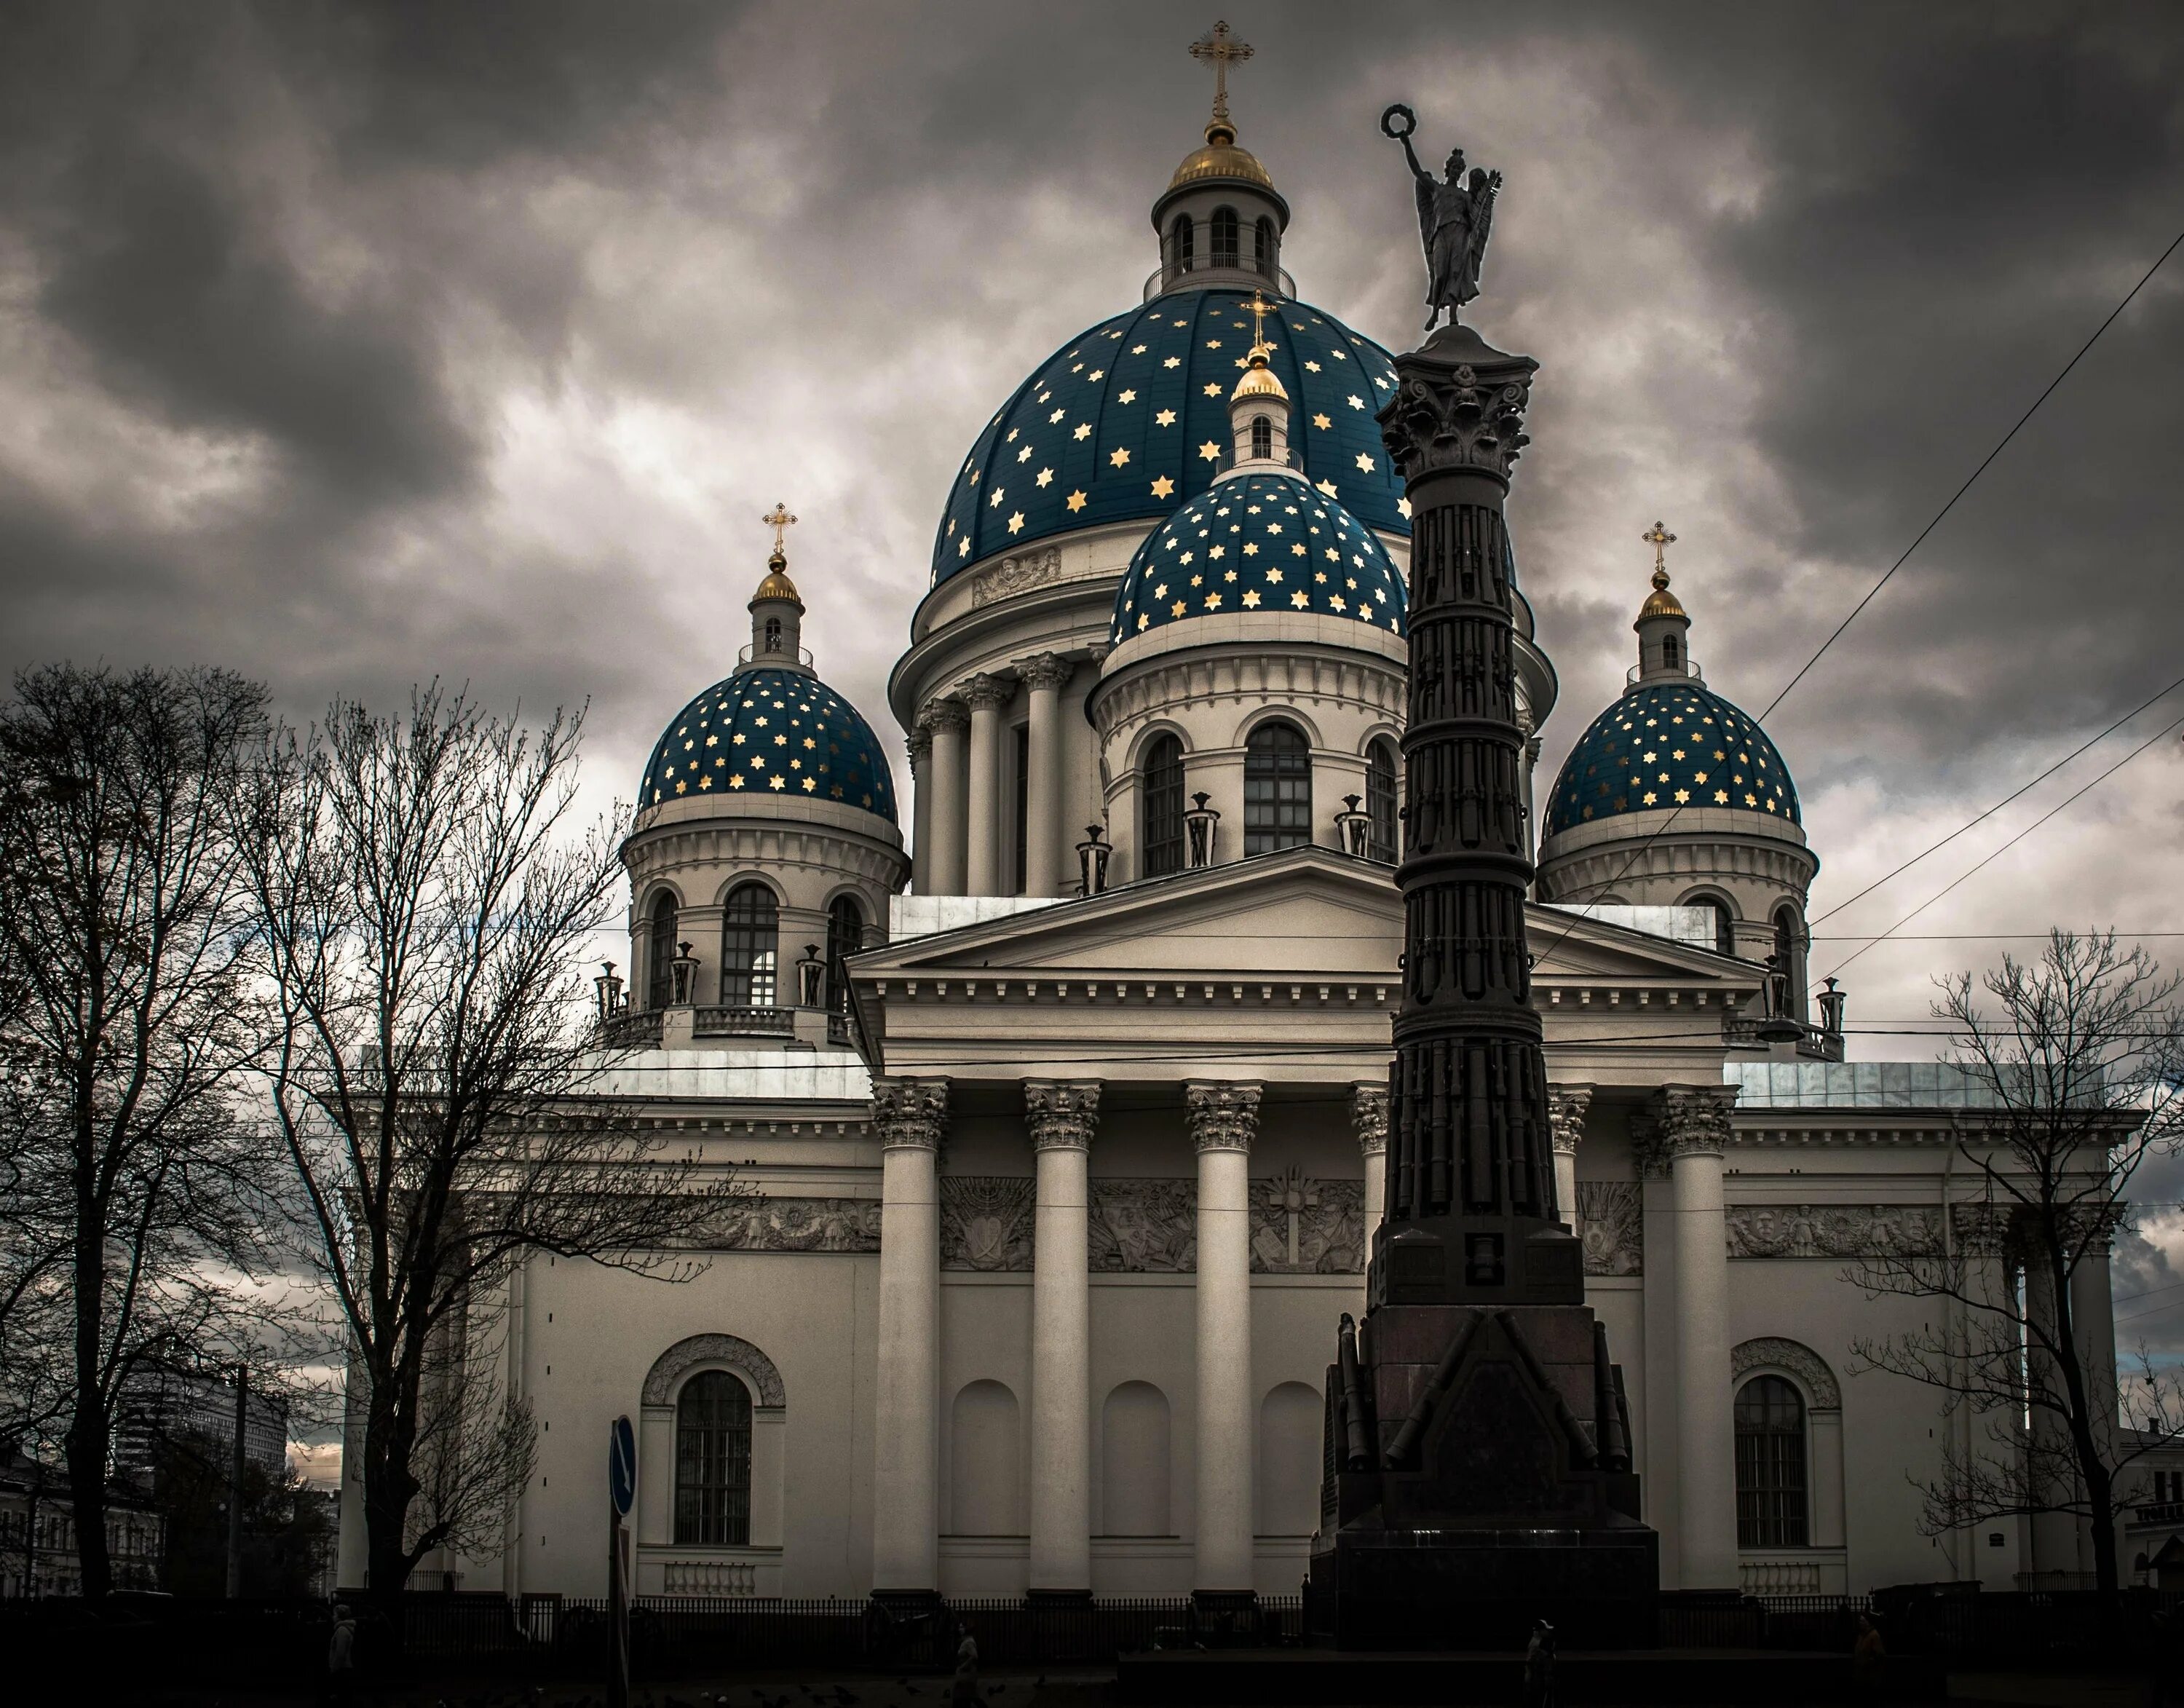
(1471,1172)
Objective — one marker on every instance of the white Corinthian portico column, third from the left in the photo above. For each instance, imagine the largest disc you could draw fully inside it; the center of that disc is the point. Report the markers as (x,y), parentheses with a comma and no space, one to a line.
(1224,1122)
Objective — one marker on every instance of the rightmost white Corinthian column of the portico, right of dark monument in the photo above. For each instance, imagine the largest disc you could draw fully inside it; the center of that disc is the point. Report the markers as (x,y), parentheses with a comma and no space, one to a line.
(1694,1128)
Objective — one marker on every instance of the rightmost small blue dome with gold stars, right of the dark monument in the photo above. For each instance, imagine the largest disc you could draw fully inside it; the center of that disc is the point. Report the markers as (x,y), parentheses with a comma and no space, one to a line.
(1665,746)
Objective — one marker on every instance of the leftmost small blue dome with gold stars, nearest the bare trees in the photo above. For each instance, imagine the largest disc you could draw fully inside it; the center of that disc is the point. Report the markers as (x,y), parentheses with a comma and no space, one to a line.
(772,733)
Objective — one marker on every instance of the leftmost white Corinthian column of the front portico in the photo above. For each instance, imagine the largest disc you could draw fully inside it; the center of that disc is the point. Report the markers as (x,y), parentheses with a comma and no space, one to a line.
(910,1115)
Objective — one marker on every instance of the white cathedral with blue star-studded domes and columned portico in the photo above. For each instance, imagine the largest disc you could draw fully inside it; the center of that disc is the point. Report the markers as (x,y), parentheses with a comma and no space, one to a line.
(1063,1106)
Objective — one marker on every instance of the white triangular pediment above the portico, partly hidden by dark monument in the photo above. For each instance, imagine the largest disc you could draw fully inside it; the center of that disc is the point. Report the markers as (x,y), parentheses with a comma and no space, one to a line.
(1303,914)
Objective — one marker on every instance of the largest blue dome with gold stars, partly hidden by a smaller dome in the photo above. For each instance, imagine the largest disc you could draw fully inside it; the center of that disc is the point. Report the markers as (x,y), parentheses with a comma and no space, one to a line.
(1130,420)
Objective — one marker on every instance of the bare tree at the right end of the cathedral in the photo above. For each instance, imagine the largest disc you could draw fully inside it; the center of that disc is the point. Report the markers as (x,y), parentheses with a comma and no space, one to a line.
(2078,1071)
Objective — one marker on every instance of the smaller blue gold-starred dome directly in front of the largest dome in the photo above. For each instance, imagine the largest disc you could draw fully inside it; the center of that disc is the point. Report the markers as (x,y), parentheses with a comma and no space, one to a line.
(1259,543)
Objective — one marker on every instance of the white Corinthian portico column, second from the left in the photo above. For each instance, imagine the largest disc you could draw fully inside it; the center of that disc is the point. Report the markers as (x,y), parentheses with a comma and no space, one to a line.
(1060,1119)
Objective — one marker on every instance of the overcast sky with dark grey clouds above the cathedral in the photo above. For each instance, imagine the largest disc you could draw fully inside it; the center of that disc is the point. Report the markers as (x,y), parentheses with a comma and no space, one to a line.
(357,346)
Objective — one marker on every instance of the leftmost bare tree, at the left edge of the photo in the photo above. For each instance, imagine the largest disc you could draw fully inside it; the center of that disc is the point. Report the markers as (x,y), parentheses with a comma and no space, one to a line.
(136,1202)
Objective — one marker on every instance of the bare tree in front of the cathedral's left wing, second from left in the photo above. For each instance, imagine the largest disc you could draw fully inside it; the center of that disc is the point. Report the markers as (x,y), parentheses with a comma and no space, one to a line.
(425,897)
